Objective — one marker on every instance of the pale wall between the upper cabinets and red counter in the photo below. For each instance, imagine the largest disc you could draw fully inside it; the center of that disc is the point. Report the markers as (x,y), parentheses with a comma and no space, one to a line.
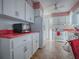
(7,23)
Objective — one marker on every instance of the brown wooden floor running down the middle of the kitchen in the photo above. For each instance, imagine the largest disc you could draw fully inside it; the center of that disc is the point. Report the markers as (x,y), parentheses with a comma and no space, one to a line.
(52,50)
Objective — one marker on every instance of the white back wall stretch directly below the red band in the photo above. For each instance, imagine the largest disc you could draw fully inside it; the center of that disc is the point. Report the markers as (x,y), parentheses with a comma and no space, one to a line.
(61,20)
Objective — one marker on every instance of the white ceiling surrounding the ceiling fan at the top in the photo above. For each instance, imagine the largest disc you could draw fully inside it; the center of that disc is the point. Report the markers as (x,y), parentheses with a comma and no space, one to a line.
(62,5)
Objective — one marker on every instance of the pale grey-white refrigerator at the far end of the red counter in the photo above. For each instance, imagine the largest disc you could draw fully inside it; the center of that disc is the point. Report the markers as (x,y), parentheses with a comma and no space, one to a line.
(37,27)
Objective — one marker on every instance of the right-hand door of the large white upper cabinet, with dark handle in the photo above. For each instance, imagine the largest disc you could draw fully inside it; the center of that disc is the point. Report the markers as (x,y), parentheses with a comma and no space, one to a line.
(20,9)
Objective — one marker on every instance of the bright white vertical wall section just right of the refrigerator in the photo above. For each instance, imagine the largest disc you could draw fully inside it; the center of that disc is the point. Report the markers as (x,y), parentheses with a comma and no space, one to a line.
(47,27)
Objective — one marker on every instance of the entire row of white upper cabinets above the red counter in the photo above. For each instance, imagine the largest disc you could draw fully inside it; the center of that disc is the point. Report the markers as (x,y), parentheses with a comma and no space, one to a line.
(19,9)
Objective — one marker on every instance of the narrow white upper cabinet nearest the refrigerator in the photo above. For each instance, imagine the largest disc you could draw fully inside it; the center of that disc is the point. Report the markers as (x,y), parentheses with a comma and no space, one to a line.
(29,13)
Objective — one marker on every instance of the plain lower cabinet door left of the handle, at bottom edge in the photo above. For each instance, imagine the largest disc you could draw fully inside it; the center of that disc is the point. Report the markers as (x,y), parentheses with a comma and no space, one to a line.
(19,52)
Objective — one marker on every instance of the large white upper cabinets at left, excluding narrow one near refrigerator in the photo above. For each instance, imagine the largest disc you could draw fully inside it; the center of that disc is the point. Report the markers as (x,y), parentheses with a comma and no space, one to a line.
(13,8)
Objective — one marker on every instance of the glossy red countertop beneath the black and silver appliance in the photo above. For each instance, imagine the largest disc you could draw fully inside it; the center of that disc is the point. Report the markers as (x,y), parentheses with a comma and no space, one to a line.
(10,34)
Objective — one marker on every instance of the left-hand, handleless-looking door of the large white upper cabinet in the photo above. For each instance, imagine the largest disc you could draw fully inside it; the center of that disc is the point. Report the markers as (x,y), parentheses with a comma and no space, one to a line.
(9,8)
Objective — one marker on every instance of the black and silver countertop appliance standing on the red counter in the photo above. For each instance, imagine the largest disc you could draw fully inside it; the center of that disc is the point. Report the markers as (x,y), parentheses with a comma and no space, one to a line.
(21,27)
